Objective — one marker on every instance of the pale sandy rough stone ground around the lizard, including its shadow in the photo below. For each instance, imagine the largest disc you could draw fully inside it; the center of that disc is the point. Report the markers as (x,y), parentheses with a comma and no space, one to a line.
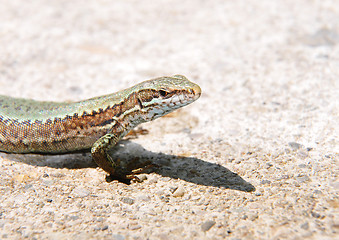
(256,157)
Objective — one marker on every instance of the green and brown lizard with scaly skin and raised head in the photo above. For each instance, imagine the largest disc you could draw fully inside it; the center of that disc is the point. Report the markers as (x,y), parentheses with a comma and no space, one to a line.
(28,126)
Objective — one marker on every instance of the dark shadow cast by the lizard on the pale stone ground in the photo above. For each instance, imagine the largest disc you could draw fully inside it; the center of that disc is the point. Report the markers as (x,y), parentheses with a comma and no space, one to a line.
(189,169)
